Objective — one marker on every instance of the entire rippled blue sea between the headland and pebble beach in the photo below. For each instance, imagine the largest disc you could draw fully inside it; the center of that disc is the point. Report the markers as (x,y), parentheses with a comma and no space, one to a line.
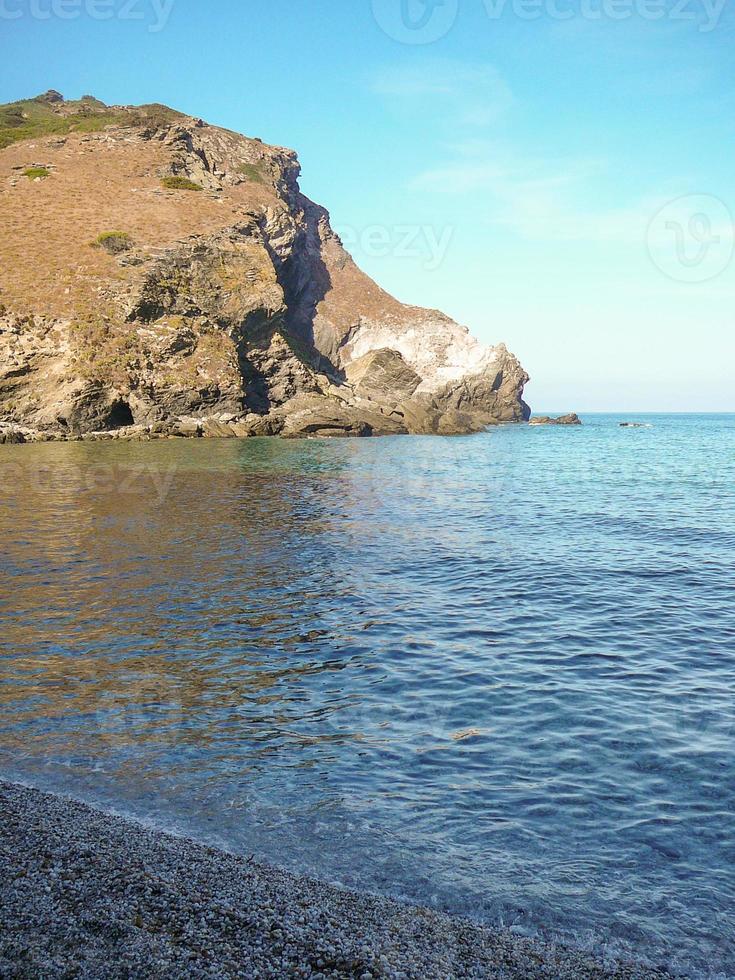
(495,674)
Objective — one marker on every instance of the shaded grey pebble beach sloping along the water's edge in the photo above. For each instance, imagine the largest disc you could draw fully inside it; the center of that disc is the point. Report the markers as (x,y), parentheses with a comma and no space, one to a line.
(89,895)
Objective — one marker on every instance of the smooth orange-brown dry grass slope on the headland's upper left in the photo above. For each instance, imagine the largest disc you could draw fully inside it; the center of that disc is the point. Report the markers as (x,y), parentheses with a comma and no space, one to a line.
(97,184)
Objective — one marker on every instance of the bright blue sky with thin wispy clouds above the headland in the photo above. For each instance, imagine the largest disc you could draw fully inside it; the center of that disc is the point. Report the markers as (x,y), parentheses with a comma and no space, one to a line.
(554,174)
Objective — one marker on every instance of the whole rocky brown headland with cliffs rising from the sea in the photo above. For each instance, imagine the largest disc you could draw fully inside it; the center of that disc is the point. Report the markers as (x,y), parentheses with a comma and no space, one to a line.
(156,271)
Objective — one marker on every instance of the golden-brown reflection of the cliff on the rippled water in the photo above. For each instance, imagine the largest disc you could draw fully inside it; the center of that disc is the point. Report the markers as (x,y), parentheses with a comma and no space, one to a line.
(173,621)
